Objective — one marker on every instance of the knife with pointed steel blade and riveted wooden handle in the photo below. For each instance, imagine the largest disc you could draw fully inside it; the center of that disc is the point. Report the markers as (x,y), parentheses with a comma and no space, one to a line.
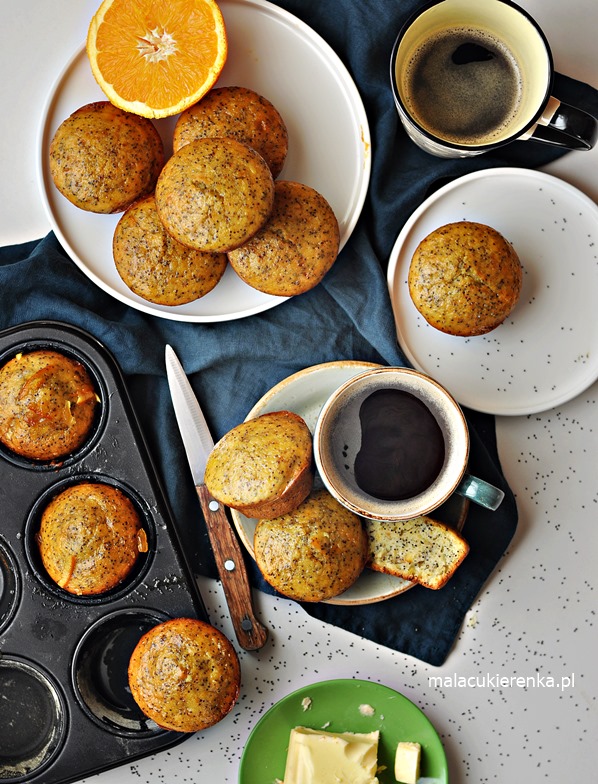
(198,442)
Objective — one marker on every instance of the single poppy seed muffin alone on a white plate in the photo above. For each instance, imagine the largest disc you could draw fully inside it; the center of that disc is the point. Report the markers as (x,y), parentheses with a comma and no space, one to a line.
(465,278)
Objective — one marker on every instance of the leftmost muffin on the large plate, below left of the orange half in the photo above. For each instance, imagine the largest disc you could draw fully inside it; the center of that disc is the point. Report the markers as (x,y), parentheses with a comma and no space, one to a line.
(103,158)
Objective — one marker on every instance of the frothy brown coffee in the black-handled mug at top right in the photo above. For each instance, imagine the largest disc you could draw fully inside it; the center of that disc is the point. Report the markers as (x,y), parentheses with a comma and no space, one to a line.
(463,86)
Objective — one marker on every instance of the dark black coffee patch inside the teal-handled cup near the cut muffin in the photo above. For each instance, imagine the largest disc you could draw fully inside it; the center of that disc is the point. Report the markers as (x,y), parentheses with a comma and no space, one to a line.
(402,446)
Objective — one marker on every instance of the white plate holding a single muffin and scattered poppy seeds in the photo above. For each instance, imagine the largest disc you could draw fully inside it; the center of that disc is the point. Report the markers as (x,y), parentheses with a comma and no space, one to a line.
(546,352)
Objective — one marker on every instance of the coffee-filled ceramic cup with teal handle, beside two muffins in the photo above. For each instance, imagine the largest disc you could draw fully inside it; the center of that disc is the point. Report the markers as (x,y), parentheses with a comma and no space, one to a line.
(392,444)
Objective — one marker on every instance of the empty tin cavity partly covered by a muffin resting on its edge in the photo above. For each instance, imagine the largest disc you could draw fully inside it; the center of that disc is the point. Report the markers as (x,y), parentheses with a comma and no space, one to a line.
(100,668)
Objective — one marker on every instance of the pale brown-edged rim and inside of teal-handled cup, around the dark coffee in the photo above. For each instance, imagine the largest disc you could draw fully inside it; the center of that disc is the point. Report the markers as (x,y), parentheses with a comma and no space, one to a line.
(328,450)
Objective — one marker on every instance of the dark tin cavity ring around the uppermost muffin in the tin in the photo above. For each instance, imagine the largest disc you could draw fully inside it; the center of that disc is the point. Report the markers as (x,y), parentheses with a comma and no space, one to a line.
(100,413)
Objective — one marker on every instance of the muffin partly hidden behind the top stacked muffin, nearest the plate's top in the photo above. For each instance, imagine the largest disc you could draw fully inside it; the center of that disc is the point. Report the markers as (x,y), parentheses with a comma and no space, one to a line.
(242,114)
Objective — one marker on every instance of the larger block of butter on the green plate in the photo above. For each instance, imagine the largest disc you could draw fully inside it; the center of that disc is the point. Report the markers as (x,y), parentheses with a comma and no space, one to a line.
(316,757)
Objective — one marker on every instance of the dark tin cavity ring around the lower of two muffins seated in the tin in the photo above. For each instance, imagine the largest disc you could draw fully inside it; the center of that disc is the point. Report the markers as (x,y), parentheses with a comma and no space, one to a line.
(138,571)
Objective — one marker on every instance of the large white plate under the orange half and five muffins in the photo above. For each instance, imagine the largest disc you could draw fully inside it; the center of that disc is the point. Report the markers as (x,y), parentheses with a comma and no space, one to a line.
(280,57)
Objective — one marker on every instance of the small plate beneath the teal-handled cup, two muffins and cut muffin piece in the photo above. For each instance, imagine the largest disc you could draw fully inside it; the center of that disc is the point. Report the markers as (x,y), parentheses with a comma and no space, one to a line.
(305,393)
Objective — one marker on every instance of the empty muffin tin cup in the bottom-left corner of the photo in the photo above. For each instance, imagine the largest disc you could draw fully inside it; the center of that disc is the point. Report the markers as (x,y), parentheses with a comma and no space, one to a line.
(32,718)
